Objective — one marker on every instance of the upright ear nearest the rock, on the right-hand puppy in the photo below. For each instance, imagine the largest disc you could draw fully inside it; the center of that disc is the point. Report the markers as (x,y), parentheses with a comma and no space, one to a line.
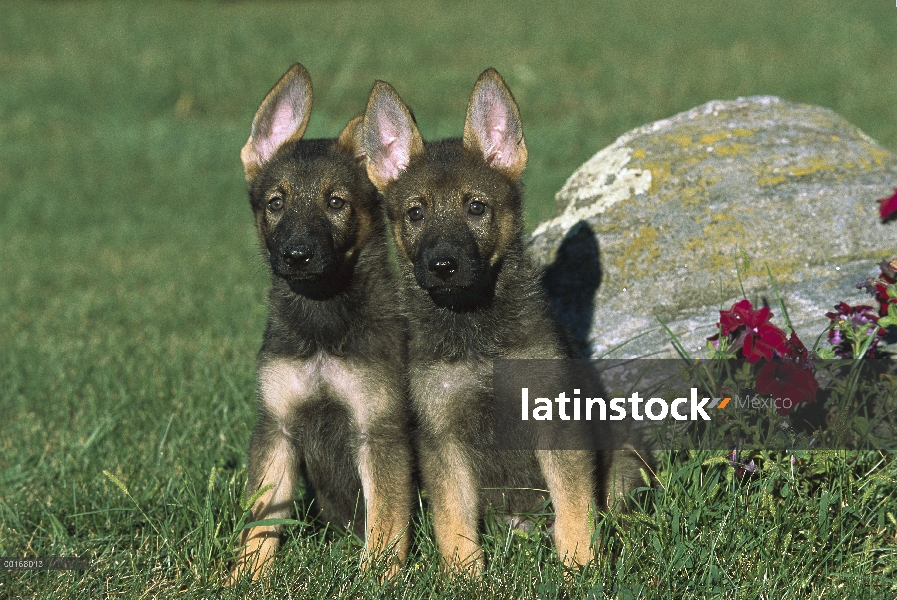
(493,126)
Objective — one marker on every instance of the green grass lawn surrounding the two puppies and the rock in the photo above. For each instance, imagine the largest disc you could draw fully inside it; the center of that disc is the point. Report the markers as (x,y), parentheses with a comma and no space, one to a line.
(132,296)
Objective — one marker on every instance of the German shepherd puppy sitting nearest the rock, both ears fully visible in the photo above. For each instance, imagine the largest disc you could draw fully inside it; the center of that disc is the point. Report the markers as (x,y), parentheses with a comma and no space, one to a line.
(472,296)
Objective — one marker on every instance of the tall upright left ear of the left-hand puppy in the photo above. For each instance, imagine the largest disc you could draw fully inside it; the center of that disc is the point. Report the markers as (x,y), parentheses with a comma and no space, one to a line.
(282,117)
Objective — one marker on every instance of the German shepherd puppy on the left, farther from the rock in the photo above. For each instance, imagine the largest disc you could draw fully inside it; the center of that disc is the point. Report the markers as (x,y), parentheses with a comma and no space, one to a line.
(332,399)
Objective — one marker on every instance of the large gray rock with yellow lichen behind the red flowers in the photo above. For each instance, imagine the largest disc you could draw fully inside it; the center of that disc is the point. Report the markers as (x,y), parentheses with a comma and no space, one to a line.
(659,224)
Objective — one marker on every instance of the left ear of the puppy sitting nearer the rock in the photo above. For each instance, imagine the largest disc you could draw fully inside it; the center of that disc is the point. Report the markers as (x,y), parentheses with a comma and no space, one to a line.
(390,137)
